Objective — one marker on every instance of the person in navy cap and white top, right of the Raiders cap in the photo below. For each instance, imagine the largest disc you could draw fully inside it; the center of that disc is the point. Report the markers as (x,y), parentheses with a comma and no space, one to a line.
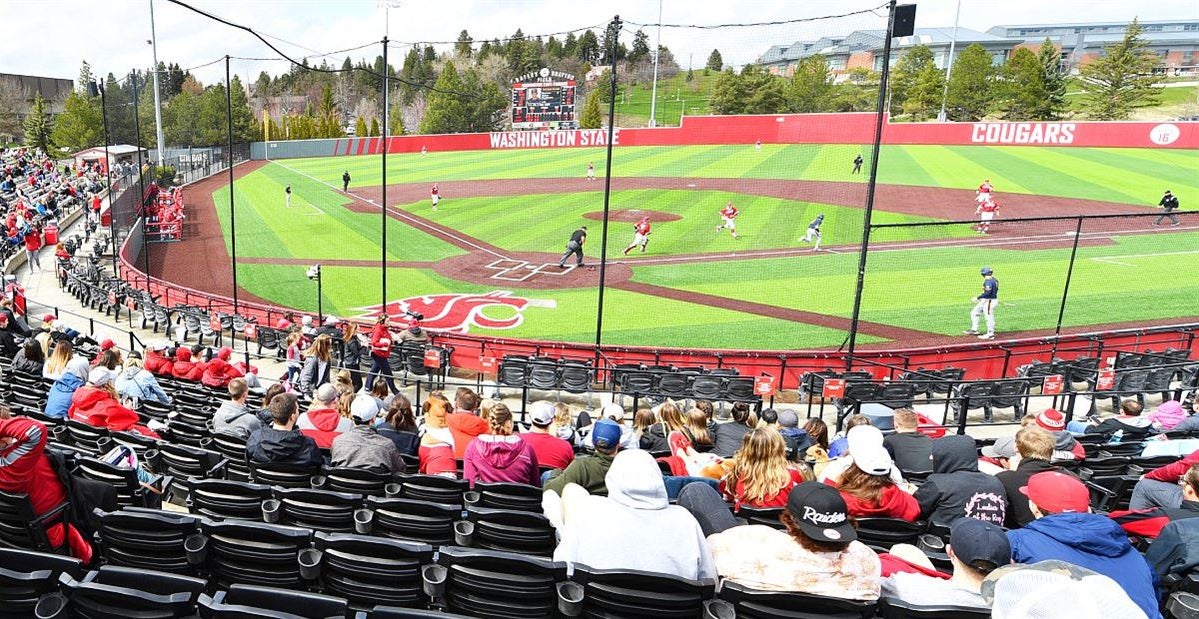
(977,549)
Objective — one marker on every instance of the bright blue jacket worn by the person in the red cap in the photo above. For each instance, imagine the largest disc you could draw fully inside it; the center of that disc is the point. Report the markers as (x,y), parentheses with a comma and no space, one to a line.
(1092,542)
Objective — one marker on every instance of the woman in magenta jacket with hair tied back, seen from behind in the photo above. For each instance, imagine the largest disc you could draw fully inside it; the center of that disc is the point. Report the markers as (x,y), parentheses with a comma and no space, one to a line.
(499,455)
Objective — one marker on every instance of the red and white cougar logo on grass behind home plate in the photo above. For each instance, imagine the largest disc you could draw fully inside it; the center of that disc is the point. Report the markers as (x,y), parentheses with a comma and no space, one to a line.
(456,314)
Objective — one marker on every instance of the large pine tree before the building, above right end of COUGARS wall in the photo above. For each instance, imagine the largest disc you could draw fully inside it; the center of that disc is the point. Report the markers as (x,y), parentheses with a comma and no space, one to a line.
(1123,80)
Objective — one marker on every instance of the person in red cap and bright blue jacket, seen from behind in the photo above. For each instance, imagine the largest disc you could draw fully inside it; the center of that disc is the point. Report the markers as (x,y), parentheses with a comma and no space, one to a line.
(1067,531)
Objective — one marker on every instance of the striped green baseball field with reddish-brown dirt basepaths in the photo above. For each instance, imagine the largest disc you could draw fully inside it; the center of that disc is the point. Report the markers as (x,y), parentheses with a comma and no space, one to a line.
(486,262)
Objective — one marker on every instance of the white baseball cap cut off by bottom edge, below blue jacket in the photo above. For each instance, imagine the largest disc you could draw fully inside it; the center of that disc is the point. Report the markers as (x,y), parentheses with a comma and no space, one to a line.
(1038,591)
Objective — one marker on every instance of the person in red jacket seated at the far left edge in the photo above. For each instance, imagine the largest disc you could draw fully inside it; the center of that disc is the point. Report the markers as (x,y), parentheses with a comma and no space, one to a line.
(26,470)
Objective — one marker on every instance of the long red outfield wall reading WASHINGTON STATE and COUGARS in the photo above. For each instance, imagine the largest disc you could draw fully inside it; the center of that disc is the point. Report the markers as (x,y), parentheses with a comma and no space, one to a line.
(784,129)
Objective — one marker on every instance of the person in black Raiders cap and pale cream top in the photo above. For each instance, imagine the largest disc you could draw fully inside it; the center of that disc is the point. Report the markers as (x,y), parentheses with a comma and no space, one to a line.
(817,554)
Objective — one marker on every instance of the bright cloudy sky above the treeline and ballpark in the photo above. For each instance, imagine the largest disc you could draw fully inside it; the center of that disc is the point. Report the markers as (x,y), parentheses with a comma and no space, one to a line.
(52,38)
